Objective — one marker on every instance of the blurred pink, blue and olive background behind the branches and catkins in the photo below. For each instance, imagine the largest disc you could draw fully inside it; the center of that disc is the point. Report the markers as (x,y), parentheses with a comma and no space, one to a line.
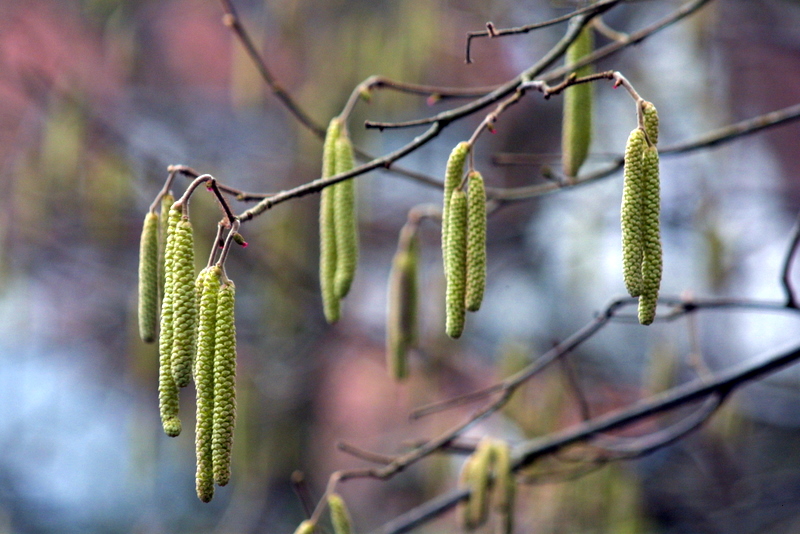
(97,97)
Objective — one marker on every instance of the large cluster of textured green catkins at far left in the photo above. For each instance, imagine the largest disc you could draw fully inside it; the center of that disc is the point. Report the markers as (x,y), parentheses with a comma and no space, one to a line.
(197,338)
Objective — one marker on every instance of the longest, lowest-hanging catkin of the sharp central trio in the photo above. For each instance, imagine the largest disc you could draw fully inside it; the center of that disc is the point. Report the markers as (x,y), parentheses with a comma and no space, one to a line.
(456,260)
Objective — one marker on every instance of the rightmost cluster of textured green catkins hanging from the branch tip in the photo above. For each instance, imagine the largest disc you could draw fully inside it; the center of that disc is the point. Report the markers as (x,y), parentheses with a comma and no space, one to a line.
(641,235)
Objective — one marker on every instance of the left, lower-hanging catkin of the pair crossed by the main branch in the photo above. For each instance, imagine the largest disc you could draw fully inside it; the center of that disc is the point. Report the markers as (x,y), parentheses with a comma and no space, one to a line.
(327,228)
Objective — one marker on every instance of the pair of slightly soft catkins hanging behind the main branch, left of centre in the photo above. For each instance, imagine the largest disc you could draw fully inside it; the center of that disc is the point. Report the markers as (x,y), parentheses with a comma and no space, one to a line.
(338,229)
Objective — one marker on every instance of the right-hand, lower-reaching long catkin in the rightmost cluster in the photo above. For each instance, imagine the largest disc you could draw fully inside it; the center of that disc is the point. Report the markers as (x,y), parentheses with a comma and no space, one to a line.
(652,253)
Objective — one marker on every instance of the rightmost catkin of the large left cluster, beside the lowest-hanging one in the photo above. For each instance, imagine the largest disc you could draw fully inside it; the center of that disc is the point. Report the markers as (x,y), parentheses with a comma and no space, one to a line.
(224,384)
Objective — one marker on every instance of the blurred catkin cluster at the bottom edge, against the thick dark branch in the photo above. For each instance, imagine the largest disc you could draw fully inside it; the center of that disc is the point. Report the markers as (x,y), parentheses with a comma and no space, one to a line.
(488,475)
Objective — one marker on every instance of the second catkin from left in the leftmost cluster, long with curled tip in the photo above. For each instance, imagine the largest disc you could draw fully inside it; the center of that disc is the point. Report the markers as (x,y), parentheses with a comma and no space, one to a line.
(167,390)
